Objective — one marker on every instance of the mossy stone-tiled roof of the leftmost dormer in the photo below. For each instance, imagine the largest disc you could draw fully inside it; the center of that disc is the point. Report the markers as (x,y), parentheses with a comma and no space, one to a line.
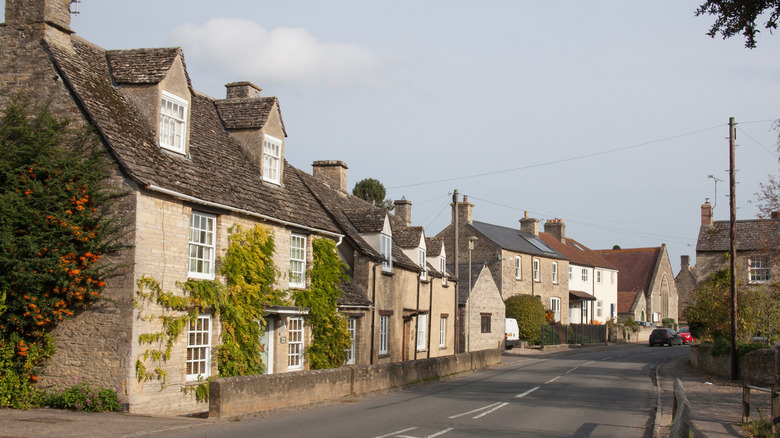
(142,66)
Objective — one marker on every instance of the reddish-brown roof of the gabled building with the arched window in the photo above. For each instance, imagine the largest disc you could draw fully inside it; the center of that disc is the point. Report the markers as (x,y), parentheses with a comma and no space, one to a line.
(636,267)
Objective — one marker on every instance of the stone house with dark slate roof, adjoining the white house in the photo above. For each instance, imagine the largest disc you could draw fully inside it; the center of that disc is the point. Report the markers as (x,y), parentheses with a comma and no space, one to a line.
(518,259)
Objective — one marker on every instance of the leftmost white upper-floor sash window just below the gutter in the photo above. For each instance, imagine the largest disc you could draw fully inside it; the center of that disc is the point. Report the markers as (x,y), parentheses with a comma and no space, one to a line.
(202,245)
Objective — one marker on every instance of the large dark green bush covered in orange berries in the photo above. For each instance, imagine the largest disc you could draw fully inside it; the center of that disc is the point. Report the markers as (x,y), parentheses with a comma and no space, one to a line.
(55,232)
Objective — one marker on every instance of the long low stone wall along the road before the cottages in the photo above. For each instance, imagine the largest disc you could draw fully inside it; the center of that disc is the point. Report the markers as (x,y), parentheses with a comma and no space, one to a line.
(237,396)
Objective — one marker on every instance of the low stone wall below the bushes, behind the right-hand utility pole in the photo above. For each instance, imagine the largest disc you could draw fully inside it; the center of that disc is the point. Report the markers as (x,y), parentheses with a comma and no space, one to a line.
(756,367)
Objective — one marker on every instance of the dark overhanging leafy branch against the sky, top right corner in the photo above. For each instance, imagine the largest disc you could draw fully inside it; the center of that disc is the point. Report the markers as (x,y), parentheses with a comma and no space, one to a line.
(739,17)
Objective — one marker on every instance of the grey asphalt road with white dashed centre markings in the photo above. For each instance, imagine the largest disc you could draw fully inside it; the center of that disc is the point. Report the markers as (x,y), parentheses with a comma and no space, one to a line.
(587,393)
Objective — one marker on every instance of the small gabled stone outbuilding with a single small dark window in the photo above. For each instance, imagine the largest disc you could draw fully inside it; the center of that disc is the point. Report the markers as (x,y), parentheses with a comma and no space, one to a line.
(482,309)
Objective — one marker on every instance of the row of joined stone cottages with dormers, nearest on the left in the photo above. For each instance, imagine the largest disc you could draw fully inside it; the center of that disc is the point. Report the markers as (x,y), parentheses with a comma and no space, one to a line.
(193,167)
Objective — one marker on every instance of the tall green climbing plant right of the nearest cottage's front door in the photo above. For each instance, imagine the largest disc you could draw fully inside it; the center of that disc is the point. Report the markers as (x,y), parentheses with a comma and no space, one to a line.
(330,337)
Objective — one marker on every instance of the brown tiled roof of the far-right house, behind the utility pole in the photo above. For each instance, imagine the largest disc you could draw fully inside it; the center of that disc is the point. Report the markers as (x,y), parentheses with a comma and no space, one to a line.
(752,235)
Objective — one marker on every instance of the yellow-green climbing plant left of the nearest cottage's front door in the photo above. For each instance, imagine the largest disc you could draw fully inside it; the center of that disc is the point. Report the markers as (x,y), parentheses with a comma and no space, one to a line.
(250,275)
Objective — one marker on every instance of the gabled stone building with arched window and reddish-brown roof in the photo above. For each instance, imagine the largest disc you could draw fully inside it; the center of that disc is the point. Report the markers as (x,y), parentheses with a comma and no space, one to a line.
(646,288)
